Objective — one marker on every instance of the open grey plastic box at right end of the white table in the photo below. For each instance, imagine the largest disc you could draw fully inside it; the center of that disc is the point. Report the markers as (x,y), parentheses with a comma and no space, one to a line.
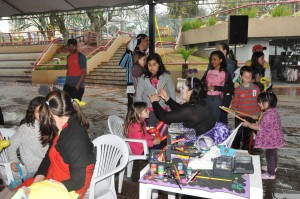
(243,164)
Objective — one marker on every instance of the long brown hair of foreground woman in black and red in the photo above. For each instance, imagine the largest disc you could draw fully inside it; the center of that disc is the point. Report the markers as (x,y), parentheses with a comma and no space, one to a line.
(58,103)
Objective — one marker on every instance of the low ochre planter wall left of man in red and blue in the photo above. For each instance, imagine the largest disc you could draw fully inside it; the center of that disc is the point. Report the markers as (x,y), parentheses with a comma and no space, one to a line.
(47,76)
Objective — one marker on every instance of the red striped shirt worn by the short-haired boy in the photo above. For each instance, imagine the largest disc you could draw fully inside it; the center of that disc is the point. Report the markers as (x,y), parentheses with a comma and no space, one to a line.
(245,99)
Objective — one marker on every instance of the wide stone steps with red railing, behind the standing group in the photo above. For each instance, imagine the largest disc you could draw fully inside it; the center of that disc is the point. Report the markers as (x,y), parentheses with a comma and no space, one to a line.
(109,73)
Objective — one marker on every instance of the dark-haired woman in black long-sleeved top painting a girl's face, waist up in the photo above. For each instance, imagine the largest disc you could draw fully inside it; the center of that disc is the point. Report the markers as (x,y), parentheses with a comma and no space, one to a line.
(193,114)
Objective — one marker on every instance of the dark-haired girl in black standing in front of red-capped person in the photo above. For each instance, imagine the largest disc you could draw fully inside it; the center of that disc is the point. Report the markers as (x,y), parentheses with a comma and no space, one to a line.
(257,66)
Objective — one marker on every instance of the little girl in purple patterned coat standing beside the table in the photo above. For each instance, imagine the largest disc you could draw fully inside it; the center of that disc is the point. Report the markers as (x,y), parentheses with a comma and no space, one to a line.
(269,132)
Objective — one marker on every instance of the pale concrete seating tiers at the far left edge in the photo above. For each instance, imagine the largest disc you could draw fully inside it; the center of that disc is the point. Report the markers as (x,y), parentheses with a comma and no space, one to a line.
(17,66)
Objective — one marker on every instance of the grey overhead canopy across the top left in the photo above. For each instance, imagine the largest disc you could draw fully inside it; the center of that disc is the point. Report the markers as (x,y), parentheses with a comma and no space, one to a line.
(27,7)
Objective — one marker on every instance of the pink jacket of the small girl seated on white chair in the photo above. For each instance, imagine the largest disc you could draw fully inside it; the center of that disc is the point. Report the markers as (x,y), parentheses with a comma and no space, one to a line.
(134,131)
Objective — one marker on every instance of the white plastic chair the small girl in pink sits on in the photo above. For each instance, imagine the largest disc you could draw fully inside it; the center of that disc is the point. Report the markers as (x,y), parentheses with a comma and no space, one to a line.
(116,127)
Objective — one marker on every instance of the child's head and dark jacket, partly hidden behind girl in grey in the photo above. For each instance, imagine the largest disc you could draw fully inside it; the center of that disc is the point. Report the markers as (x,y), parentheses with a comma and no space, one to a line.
(139,61)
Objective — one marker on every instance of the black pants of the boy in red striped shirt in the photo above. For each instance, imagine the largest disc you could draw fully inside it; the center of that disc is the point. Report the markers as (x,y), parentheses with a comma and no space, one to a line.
(243,134)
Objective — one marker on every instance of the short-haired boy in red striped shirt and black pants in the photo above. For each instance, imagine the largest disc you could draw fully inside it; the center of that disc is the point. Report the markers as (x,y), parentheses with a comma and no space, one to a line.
(245,101)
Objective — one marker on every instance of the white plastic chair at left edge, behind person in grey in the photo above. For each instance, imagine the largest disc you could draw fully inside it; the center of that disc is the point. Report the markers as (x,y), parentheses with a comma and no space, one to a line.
(5,169)
